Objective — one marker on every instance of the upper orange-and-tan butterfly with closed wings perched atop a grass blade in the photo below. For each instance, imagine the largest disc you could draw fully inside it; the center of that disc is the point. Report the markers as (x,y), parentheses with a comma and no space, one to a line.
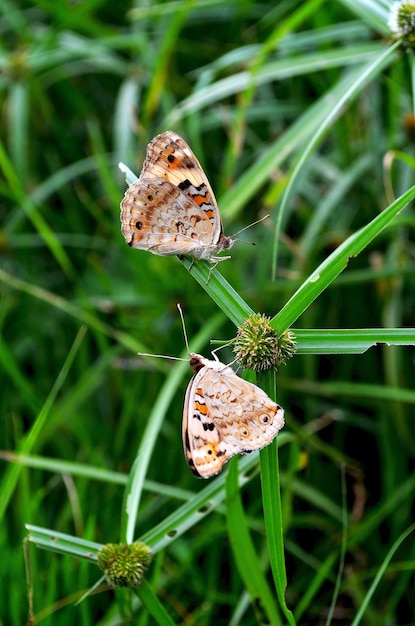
(171,208)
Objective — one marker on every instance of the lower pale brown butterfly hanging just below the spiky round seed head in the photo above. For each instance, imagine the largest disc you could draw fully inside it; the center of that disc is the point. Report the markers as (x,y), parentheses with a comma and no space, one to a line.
(224,415)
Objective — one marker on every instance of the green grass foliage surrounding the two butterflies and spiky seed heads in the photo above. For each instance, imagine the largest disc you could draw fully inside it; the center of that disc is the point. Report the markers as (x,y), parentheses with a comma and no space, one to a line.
(254,89)
